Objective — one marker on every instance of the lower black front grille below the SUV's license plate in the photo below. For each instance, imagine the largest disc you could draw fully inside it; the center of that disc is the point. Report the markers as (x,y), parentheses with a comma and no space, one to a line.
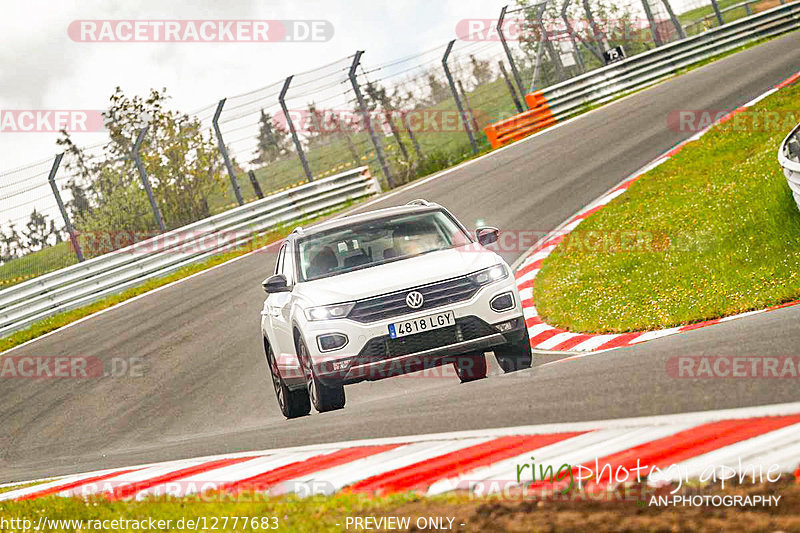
(465,329)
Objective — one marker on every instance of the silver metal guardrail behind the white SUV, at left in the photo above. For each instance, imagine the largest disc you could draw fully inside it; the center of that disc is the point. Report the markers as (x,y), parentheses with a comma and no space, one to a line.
(85,282)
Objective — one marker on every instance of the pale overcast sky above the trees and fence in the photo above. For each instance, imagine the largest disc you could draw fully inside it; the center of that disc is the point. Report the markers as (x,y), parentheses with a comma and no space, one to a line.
(42,68)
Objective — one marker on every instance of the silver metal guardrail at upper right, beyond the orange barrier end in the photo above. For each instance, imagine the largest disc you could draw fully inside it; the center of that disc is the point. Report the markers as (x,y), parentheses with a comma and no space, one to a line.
(598,86)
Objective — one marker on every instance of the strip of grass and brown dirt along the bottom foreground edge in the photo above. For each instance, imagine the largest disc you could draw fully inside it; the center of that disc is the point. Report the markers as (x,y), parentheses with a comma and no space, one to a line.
(630,509)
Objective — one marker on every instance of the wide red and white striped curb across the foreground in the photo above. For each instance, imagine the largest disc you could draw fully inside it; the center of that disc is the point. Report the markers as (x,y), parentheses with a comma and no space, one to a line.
(683,446)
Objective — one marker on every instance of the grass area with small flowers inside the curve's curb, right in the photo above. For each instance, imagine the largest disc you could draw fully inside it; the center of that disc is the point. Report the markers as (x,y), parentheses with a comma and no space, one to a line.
(718,229)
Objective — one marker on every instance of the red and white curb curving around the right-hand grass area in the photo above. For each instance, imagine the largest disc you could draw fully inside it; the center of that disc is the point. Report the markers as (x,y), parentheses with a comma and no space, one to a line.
(546,337)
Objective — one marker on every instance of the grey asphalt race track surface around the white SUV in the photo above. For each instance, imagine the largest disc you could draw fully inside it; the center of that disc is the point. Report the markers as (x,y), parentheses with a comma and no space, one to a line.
(205,387)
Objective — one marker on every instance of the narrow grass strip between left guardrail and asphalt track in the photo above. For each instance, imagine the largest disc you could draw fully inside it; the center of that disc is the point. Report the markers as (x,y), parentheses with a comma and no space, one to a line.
(62,319)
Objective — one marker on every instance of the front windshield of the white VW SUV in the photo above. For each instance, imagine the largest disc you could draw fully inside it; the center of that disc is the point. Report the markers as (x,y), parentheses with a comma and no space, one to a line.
(377,241)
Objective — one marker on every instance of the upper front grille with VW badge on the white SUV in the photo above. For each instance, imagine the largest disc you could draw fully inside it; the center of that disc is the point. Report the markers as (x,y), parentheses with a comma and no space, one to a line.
(435,294)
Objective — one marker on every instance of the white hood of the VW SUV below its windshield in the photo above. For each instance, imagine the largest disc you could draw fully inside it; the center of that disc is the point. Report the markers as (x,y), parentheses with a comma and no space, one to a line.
(397,275)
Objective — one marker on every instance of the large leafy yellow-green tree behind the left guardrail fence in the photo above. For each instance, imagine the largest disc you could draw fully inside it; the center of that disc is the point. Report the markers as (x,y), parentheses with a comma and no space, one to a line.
(180,159)
